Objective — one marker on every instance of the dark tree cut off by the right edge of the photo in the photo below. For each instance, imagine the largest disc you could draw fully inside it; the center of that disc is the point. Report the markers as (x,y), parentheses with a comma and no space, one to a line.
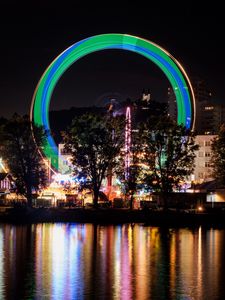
(218,156)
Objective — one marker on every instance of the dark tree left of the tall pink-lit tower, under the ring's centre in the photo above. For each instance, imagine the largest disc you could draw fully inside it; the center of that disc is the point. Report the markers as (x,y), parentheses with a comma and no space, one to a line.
(95,142)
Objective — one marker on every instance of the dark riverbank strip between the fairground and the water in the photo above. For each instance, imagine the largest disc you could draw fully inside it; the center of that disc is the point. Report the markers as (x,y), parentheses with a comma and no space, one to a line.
(111,216)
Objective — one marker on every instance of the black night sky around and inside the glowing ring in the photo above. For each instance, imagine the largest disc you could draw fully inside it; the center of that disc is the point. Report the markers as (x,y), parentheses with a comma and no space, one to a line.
(34,33)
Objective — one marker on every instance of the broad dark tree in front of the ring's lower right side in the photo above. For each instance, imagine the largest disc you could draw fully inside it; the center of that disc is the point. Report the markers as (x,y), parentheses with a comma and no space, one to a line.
(169,152)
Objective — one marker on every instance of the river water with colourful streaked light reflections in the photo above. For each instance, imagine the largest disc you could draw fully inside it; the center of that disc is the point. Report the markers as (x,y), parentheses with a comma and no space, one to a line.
(75,261)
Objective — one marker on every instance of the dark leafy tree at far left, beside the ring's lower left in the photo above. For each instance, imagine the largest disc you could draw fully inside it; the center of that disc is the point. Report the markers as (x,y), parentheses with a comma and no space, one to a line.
(21,154)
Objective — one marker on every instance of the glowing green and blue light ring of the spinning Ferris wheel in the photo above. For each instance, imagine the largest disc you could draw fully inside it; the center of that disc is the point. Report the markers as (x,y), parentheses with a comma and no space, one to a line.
(168,64)
